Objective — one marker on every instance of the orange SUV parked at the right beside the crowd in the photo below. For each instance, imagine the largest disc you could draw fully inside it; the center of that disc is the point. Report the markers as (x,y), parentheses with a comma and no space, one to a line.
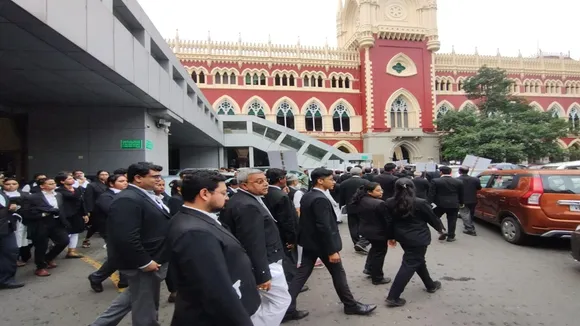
(525,203)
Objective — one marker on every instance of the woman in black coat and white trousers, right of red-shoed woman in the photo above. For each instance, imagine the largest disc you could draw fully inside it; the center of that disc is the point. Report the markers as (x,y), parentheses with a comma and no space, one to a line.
(73,210)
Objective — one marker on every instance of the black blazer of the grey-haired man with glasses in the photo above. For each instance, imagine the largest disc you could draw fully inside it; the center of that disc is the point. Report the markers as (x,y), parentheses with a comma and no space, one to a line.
(251,223)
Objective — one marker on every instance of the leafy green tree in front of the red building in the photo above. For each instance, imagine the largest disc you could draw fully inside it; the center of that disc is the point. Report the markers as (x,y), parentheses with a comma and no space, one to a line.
(506,127)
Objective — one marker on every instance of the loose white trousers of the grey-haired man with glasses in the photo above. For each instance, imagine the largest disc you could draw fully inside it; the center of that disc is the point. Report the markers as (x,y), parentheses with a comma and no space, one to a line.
(274,302)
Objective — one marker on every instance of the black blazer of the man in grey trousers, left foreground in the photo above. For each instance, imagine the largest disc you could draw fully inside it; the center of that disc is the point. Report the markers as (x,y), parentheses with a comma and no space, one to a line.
(136,230)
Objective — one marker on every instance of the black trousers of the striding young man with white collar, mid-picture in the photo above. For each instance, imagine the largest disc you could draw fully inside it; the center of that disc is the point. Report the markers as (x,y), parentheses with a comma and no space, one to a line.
(336,272)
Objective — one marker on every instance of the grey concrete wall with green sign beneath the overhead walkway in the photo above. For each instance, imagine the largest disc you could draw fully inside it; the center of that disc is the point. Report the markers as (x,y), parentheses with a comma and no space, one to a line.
(90,139)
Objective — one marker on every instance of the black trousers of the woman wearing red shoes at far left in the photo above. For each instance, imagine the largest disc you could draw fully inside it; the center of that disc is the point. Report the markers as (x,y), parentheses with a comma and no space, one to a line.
(48,228)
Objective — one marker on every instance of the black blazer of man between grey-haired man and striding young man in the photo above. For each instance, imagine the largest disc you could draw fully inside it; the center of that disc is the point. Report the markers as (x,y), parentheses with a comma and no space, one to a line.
(284,212)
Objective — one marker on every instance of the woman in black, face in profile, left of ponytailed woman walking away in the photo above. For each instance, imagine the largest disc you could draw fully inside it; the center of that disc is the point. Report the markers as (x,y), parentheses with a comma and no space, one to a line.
(367,203)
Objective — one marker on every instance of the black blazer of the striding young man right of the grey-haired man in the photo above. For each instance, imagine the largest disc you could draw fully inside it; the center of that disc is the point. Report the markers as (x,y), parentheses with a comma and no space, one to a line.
(318,229)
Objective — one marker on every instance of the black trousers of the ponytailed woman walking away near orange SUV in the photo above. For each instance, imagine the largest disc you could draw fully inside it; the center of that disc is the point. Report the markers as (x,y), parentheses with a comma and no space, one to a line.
(413,262)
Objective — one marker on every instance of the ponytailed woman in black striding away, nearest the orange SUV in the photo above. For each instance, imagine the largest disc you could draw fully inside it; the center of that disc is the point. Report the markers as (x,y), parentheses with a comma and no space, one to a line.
(408,217)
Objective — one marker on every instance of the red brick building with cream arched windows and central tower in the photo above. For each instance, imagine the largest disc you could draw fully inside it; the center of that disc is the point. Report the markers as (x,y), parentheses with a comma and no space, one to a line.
(380,90)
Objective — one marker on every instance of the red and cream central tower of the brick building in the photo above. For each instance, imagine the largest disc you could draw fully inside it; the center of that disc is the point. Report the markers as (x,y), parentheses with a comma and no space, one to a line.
(396,40)
